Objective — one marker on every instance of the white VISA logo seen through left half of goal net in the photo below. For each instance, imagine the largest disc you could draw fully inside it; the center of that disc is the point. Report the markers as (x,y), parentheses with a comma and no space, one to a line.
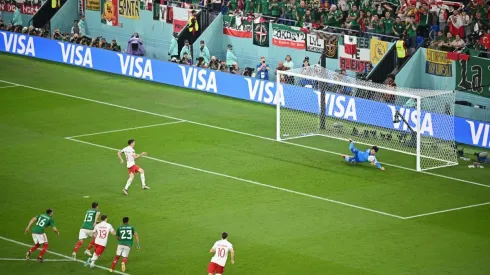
(339,106)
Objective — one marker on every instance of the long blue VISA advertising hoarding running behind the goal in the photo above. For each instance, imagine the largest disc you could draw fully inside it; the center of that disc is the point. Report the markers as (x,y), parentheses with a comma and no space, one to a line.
(251,89)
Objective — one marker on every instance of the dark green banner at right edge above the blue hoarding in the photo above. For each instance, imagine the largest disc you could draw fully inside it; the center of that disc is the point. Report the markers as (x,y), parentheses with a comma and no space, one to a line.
(473,76)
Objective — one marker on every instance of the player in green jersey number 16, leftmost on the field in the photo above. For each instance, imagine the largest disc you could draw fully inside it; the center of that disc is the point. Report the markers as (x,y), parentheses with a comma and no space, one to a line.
(41,222)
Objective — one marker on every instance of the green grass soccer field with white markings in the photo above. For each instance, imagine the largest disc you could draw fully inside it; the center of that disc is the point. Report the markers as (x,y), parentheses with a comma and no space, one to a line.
(214,166)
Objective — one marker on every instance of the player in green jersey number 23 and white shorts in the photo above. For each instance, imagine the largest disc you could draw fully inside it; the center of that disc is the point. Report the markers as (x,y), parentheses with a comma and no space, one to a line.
(125,234)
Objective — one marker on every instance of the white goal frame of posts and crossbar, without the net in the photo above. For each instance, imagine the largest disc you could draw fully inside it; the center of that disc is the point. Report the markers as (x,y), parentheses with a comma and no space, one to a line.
(417,98)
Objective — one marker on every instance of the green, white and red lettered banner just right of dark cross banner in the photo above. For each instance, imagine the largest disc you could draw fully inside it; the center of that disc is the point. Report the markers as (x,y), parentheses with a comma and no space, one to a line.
(287,36)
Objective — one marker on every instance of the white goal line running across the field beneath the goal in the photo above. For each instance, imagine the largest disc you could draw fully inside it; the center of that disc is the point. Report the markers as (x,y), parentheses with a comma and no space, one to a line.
(228,130)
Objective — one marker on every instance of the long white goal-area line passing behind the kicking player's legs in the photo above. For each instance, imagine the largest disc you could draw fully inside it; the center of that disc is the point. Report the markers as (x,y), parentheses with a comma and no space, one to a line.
(248,181)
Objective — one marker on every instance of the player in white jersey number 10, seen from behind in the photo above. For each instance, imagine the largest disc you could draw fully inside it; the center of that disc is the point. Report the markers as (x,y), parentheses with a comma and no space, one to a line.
(220,250)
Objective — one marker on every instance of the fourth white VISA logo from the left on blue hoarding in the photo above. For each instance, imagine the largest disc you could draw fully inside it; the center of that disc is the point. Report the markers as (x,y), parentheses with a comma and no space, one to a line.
(199,79)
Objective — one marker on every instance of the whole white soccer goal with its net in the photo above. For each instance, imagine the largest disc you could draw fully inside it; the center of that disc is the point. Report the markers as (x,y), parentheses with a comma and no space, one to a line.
(322,107)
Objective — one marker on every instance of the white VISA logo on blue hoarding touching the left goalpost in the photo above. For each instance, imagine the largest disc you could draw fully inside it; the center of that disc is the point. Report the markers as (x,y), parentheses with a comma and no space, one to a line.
(263,91)
